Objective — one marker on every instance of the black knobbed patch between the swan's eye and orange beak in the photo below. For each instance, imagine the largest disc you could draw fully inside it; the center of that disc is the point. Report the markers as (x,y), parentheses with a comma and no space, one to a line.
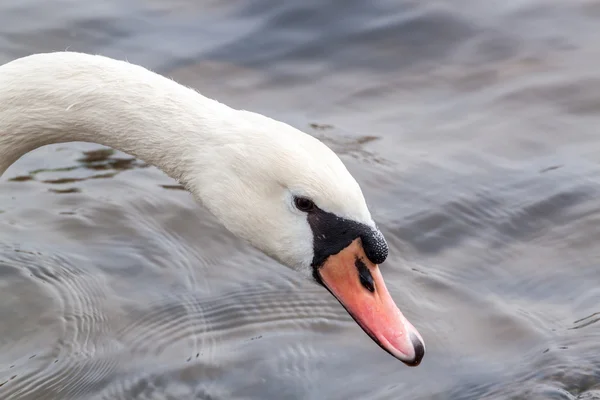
(332,234)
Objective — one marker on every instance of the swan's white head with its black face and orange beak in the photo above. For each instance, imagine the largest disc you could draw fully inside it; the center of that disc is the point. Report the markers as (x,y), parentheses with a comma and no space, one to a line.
(289,195)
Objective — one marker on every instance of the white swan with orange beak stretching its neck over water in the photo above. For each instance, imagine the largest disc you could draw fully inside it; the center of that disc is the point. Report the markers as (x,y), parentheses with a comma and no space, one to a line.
(279,189)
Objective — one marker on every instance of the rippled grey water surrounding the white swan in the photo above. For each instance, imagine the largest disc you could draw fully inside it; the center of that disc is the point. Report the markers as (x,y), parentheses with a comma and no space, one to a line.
(473,128)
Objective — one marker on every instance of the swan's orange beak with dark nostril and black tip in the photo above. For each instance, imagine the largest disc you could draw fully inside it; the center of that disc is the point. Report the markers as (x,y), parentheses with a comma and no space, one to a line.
(358,285)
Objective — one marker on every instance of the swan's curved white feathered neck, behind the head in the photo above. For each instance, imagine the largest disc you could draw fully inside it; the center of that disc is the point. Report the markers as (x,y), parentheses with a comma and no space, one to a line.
(65,97)
